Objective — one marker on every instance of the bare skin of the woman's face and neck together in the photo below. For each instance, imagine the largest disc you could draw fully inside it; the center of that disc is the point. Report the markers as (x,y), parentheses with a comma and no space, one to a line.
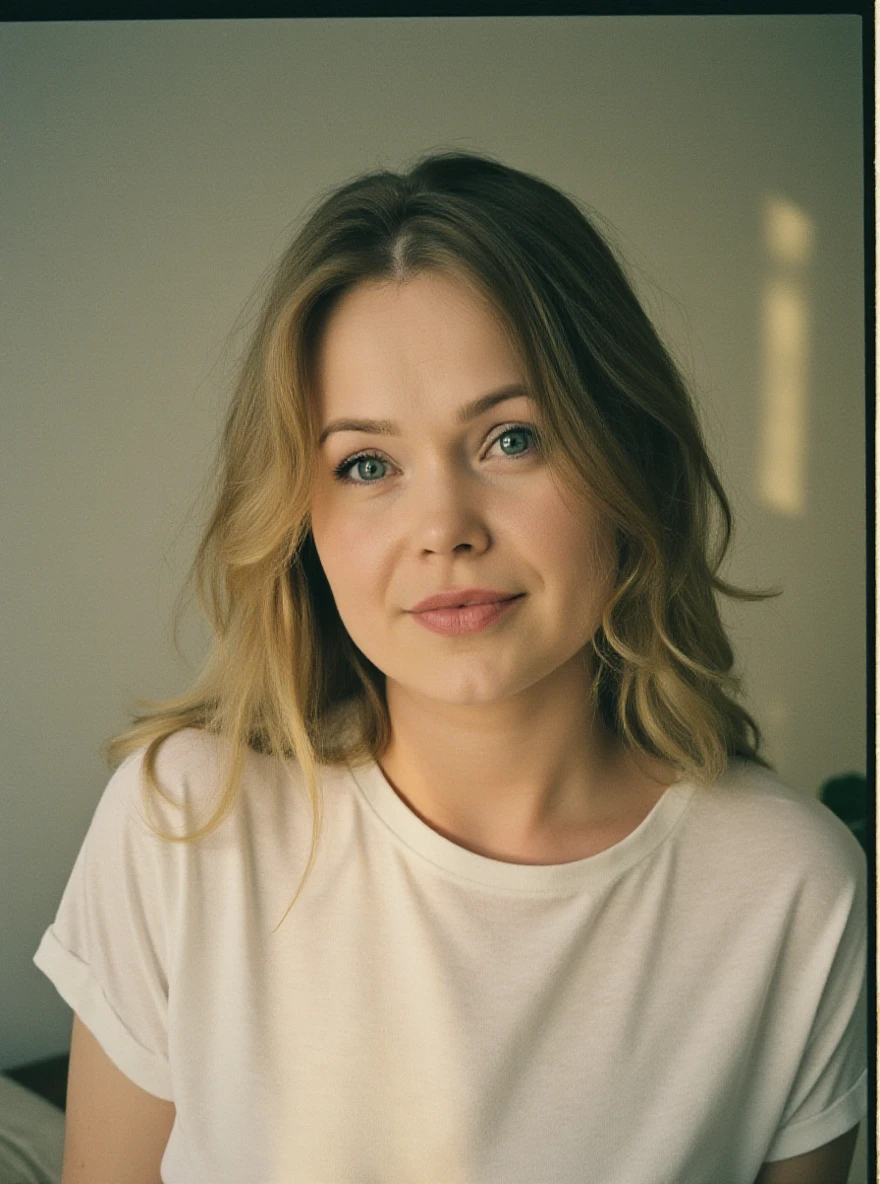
(494,741)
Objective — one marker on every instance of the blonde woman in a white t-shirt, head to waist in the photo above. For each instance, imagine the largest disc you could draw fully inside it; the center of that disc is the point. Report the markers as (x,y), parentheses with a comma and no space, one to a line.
(563,923)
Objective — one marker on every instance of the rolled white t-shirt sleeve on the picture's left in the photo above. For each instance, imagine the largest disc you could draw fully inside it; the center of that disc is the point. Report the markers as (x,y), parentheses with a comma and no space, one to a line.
(106,953)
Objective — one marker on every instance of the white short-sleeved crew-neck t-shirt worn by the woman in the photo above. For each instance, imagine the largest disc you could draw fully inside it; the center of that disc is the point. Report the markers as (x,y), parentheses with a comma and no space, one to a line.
(673,1011)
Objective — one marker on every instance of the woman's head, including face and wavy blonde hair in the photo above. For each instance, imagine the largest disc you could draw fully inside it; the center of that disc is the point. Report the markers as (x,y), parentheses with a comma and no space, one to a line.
(402,297)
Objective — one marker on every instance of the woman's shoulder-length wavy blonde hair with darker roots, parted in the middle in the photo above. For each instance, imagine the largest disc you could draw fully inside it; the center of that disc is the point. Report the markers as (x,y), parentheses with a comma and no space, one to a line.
(282,677)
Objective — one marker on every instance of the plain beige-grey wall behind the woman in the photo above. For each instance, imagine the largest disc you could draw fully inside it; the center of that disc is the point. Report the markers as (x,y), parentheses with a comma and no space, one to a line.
(152,171)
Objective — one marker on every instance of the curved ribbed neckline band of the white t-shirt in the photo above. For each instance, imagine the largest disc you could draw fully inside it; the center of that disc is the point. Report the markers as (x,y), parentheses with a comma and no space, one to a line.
(407,828)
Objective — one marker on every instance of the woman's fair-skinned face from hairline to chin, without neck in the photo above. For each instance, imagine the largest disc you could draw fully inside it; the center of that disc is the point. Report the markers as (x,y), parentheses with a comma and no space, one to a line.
(444,504)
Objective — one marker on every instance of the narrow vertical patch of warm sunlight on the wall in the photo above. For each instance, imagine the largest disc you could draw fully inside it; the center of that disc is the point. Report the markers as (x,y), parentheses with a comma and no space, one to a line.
(789,237)
